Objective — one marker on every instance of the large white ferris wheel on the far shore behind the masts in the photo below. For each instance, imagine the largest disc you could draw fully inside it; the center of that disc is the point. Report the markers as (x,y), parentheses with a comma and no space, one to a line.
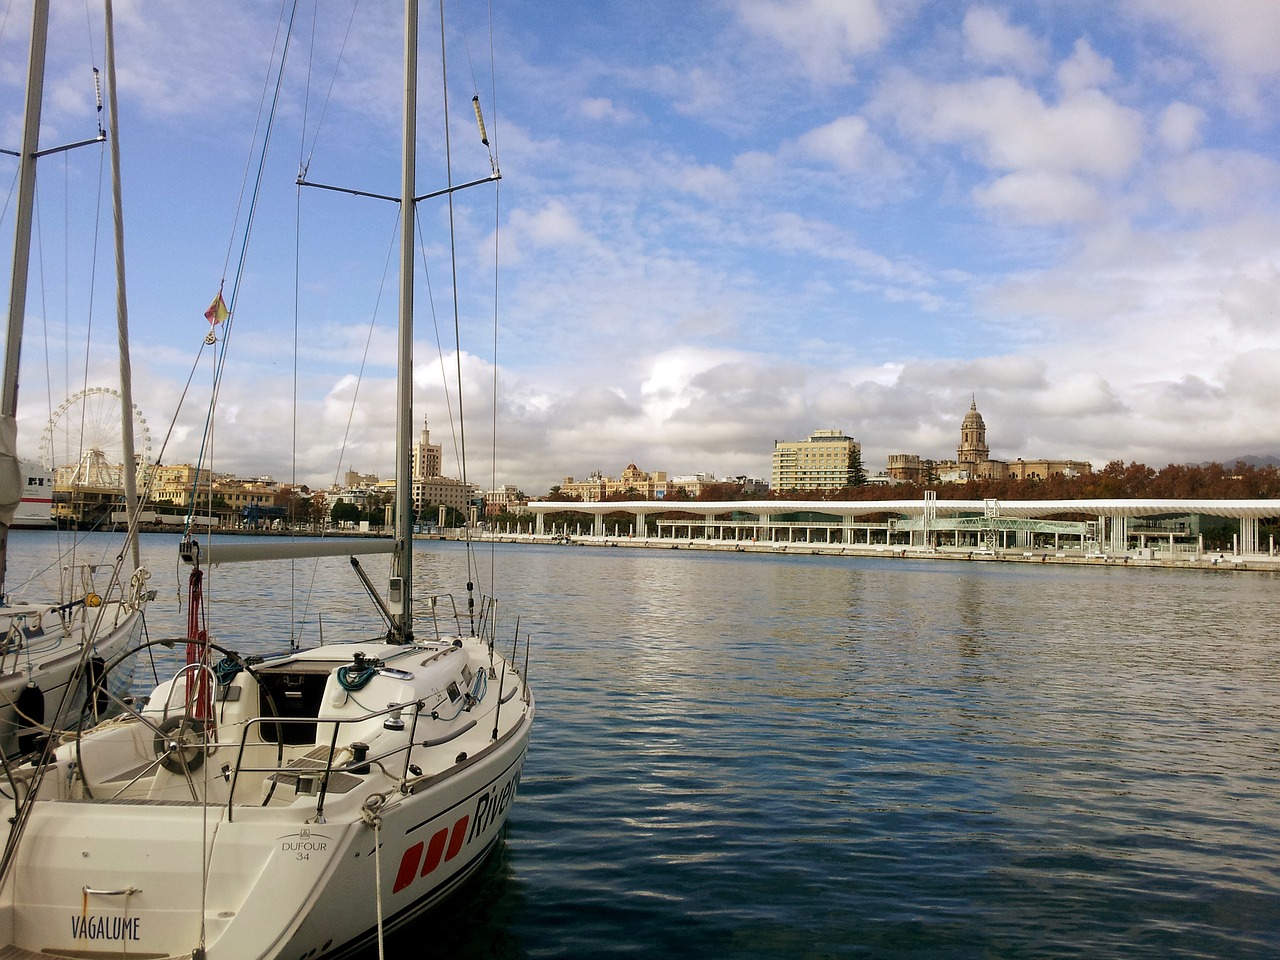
(83,444)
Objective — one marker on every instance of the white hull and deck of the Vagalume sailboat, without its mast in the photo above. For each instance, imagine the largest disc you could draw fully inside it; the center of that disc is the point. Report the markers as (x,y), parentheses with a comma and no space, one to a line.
(111,861)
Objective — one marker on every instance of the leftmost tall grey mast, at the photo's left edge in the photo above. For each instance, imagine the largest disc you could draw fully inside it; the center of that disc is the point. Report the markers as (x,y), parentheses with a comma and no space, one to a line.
(21,259)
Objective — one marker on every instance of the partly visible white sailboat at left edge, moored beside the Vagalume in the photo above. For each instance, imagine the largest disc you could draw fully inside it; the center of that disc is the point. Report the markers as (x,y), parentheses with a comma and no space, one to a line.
(53,652)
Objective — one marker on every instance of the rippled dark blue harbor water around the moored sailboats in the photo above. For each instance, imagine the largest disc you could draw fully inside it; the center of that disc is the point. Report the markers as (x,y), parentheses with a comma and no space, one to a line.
(825,757)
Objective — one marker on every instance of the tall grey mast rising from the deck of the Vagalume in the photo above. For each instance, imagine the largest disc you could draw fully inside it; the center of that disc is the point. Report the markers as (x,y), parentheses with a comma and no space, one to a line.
(403,560)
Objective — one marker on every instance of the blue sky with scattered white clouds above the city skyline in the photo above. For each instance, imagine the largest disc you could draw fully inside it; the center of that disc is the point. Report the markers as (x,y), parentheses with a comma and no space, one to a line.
(721,225)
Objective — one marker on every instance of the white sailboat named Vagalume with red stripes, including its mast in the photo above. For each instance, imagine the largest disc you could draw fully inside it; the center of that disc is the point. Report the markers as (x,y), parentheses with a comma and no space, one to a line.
(290,807)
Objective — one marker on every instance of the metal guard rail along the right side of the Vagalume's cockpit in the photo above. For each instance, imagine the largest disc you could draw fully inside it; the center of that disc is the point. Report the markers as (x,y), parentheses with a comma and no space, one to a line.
(358,765)
